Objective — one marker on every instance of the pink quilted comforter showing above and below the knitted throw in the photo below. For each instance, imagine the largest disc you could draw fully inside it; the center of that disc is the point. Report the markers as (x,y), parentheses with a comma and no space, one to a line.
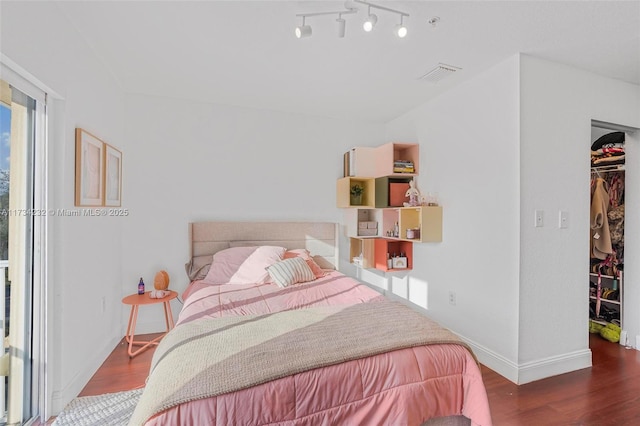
(403,387)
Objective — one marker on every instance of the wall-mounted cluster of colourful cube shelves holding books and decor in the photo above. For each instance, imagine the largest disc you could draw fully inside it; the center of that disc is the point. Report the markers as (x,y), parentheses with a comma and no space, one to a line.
(381,225)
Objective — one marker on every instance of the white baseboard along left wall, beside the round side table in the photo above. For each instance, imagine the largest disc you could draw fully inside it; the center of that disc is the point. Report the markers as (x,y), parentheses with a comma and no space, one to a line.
(60,398)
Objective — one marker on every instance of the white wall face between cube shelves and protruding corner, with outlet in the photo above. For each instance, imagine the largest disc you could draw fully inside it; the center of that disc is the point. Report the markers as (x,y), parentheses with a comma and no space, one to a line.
(470,156)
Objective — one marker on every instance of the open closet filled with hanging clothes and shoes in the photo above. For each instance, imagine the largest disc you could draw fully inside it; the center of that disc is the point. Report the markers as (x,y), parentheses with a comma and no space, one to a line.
(606,274)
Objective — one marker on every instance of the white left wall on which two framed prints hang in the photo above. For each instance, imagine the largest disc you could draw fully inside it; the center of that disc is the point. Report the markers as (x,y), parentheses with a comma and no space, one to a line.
(84,252)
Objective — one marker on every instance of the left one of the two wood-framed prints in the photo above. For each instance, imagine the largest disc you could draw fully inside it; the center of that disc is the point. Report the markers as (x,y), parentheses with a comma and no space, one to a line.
(89,189)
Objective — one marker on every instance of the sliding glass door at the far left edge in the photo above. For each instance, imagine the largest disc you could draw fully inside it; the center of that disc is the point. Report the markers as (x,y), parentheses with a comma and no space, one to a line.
(17,213)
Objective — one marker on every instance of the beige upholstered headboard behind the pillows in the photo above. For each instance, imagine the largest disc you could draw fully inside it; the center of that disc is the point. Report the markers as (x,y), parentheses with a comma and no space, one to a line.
(207,238)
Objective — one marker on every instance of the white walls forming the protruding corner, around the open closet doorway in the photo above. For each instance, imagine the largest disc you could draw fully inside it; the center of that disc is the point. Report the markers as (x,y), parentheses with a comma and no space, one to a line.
(496,148)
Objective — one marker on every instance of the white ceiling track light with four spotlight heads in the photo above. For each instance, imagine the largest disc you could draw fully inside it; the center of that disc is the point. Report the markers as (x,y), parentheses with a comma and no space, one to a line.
(304,30)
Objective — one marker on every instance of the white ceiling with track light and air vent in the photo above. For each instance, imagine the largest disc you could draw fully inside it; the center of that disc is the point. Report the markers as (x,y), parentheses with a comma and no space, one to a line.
(244,53)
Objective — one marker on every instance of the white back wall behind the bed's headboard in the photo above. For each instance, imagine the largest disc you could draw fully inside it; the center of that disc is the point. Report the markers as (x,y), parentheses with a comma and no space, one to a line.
(188,161)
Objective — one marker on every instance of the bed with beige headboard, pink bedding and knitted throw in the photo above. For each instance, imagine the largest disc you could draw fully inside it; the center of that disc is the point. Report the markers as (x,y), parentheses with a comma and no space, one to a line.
(272,333)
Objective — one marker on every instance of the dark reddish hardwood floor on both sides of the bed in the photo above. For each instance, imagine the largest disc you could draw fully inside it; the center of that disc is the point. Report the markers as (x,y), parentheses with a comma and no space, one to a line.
(608,393)
